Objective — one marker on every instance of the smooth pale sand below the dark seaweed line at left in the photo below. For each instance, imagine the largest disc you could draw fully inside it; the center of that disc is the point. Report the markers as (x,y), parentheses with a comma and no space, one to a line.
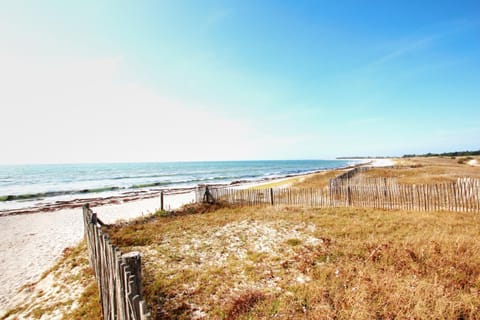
(30,244)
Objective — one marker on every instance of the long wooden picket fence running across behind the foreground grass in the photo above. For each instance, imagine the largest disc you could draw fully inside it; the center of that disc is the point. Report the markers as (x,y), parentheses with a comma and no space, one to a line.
(461,196)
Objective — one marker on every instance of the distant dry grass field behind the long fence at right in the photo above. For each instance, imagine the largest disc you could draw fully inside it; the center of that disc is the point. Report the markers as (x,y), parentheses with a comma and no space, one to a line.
(427,170)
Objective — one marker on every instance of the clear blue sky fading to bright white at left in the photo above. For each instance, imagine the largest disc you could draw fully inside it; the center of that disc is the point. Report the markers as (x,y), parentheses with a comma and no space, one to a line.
(102,81)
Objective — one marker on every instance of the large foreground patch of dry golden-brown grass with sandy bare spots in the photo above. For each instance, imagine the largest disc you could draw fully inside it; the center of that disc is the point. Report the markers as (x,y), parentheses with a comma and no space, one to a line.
(284,263)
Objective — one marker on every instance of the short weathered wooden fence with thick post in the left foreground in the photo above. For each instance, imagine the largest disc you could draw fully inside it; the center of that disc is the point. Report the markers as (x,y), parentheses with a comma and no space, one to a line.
(118,275)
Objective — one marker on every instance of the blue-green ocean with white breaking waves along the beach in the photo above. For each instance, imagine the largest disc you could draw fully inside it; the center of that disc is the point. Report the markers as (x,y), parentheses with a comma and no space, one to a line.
(23,186)
